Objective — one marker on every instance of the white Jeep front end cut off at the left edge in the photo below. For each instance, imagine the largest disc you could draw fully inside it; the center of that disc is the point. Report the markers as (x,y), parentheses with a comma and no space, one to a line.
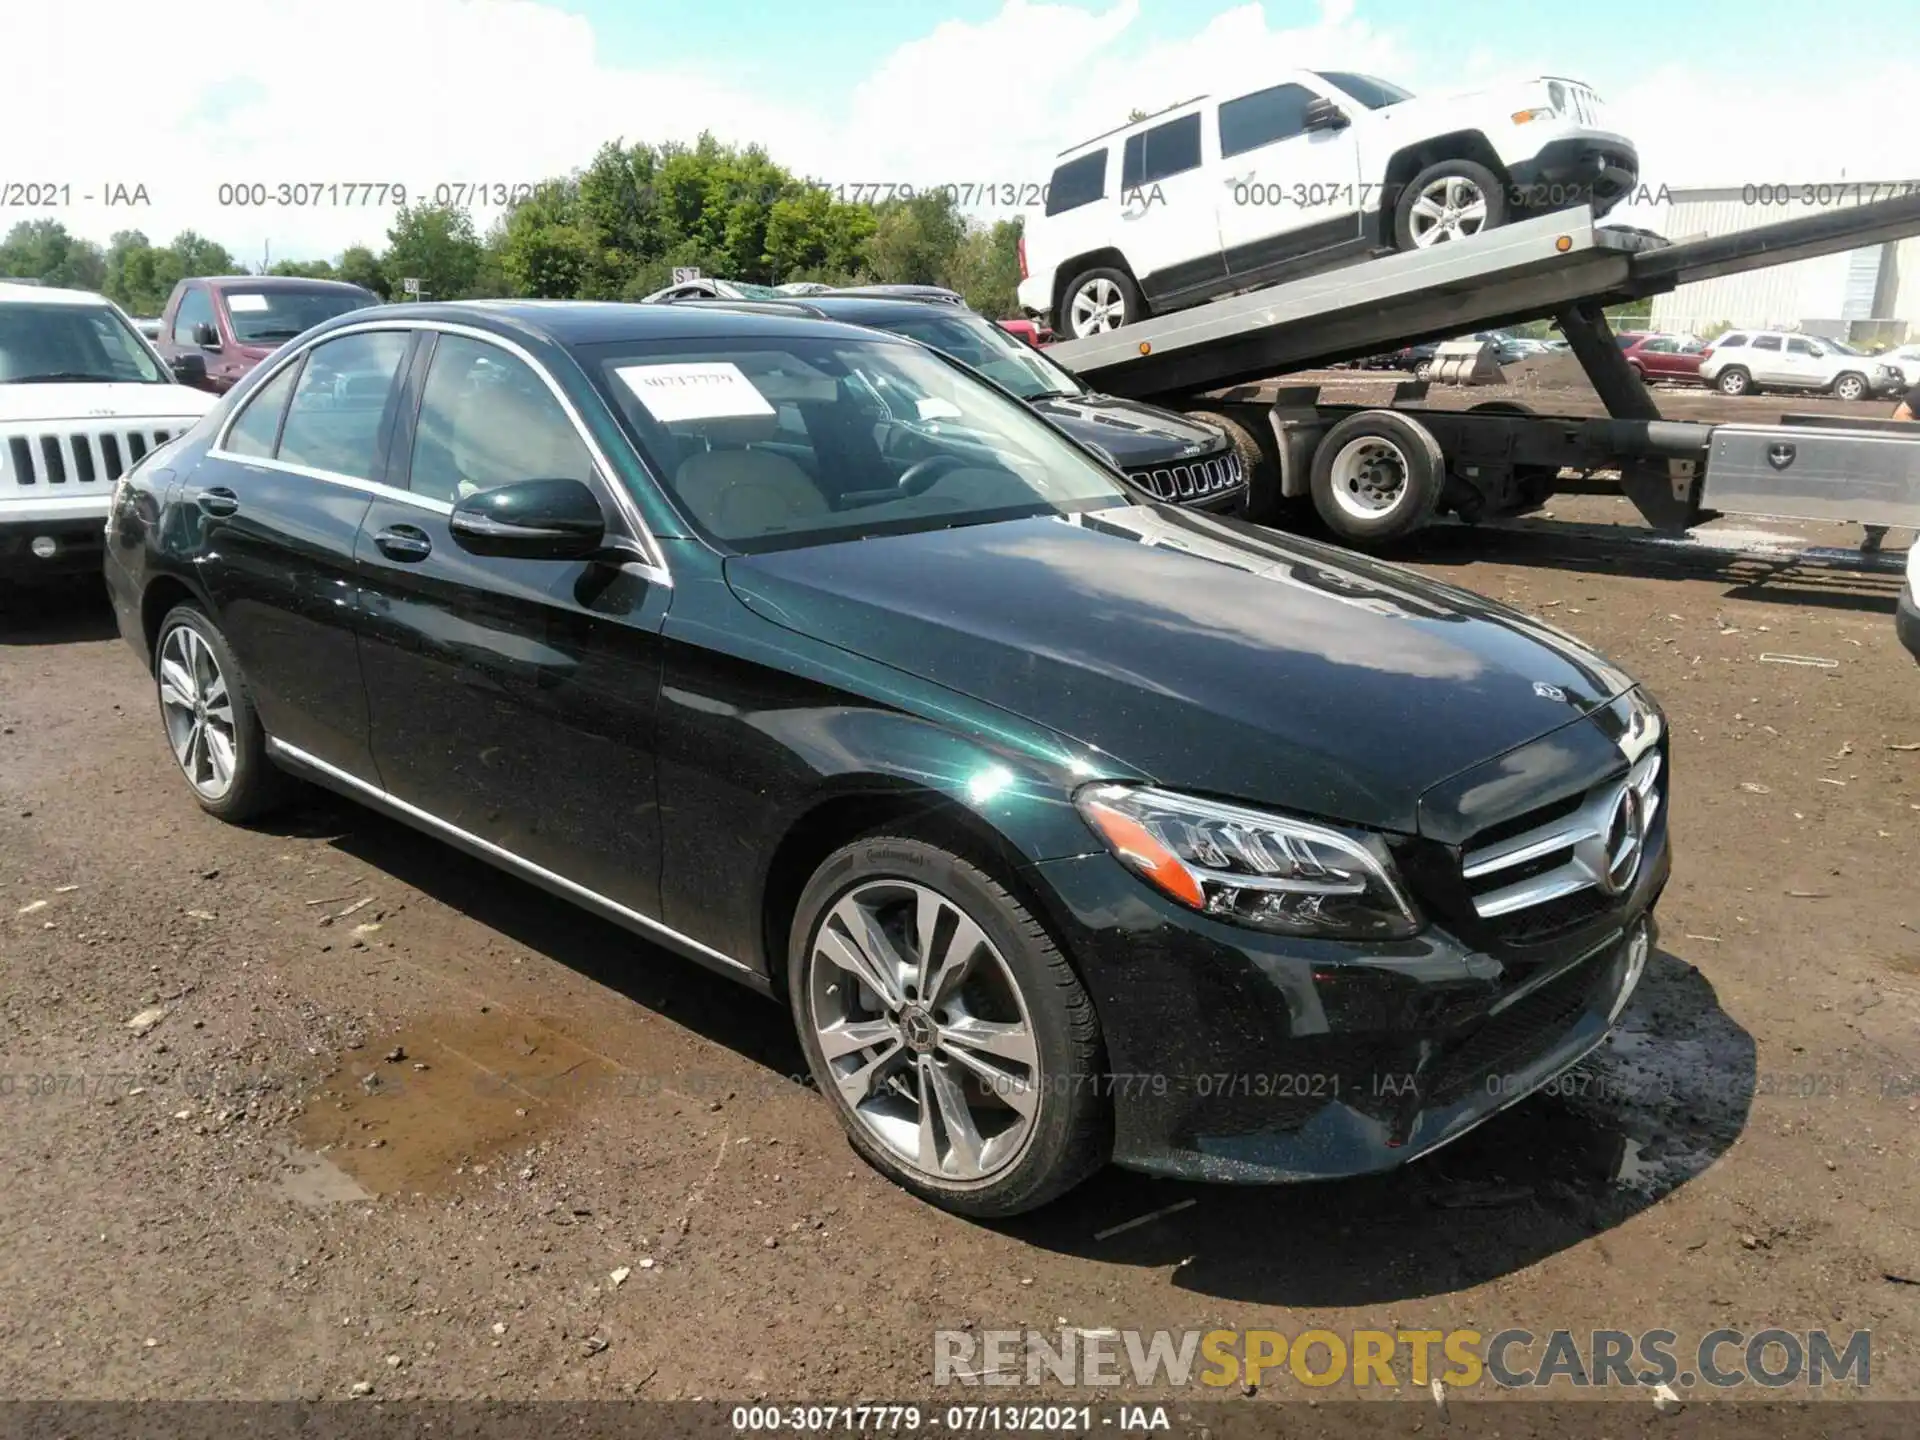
(84,398)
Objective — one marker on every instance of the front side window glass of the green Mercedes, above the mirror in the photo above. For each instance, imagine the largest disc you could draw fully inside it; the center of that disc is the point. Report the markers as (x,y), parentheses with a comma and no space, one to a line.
(487,421)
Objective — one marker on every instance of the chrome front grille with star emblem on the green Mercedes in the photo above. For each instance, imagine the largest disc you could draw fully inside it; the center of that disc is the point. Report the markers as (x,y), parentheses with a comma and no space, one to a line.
(1593,846)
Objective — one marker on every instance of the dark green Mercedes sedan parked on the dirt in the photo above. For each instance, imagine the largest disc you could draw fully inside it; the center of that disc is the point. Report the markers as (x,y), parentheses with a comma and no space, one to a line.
(1070,827)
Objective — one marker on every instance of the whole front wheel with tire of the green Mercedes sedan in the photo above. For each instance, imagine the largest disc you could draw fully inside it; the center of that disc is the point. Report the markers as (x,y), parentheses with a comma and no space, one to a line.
(944,1024)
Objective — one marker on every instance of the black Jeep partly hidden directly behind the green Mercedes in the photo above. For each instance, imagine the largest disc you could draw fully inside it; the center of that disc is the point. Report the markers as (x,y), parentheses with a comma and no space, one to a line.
(1182,460)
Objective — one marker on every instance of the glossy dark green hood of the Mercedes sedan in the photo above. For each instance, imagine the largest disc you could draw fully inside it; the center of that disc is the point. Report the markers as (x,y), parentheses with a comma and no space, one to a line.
(1214,658)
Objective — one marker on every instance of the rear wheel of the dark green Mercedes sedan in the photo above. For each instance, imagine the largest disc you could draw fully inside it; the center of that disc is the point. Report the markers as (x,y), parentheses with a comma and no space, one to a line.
(212,727)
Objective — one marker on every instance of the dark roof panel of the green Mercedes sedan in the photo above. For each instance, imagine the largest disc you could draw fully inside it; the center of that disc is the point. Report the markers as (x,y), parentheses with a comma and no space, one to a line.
(610,322)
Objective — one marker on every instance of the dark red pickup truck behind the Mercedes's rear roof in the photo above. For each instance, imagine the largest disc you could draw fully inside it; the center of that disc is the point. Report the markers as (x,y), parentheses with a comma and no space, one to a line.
(235,322)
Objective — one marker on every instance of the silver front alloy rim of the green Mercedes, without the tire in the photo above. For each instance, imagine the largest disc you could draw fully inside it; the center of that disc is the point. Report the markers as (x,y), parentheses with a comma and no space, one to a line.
(924,1030)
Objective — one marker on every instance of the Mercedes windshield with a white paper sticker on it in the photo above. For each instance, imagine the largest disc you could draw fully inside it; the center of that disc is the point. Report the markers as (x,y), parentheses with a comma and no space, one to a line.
(779,443)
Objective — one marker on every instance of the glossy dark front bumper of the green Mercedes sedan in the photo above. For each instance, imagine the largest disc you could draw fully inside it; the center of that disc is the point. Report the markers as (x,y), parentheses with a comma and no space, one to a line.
(1249,1057)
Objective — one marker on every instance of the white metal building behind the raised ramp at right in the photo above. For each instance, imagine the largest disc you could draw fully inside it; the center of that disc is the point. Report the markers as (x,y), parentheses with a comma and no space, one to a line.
(1861,295)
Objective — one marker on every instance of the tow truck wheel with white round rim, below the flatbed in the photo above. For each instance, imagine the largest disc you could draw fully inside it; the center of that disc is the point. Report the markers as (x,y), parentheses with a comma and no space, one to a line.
(1378,477)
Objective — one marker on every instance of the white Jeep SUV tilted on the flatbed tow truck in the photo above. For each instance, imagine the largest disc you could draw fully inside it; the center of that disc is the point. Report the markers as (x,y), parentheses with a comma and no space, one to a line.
(1318,170)
